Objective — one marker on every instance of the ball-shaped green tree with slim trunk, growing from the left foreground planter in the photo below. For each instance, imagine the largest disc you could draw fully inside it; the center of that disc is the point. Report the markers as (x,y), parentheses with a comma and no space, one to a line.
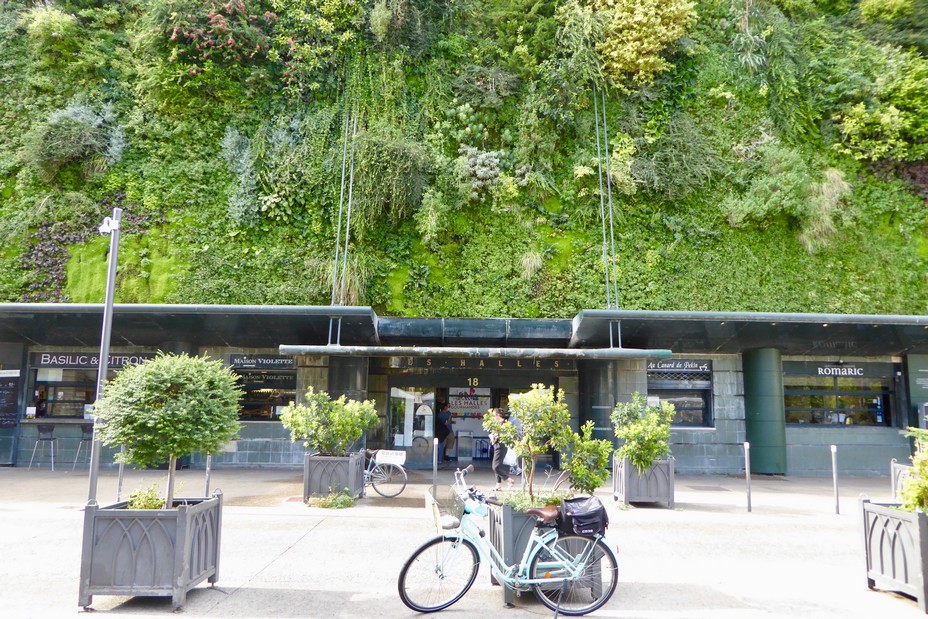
(168,407)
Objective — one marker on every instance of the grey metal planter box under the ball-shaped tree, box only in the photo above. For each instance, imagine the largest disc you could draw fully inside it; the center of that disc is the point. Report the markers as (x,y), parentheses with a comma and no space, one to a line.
(150,552)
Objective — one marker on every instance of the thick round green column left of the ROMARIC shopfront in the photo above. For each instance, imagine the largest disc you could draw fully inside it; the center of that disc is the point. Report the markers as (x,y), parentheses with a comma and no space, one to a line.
(765,417)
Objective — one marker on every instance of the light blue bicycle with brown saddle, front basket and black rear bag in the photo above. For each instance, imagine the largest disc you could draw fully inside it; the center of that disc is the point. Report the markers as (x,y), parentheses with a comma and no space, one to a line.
(570,574)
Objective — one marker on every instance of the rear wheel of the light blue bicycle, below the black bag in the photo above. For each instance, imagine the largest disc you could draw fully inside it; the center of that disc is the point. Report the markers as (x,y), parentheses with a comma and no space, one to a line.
(595,584)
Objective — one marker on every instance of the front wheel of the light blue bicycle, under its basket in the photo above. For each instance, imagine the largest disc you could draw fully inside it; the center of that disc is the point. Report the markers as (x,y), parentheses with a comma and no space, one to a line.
(438,574)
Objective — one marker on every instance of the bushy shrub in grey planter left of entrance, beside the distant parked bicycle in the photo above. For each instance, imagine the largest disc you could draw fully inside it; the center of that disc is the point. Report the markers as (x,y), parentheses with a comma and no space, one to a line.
(328,428)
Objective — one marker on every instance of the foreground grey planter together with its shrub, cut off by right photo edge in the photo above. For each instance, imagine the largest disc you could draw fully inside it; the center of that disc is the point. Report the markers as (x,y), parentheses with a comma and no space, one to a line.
(895,534)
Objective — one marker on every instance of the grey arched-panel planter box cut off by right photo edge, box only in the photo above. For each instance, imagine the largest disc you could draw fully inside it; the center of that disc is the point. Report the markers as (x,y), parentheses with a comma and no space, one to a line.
(896,545)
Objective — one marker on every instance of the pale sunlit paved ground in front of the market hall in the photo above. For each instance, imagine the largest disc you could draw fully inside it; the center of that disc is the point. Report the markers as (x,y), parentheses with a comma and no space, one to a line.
(791,556)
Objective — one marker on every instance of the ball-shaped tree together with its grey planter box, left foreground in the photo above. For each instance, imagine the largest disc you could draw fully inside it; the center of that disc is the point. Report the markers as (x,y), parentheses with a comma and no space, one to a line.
(167,407)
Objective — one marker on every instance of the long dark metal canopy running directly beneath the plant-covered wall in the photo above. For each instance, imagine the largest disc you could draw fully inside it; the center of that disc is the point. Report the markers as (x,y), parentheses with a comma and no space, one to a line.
(151,326)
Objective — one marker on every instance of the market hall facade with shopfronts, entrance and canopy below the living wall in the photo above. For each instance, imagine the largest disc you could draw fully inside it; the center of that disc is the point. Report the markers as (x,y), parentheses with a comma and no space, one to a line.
(792,385)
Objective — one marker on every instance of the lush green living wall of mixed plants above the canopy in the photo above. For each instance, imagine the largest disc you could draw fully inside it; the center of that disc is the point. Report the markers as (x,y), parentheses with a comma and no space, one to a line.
(762,156)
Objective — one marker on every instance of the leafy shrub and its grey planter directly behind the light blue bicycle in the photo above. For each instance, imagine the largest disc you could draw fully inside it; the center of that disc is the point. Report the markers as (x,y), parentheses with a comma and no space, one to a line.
(541,421)
